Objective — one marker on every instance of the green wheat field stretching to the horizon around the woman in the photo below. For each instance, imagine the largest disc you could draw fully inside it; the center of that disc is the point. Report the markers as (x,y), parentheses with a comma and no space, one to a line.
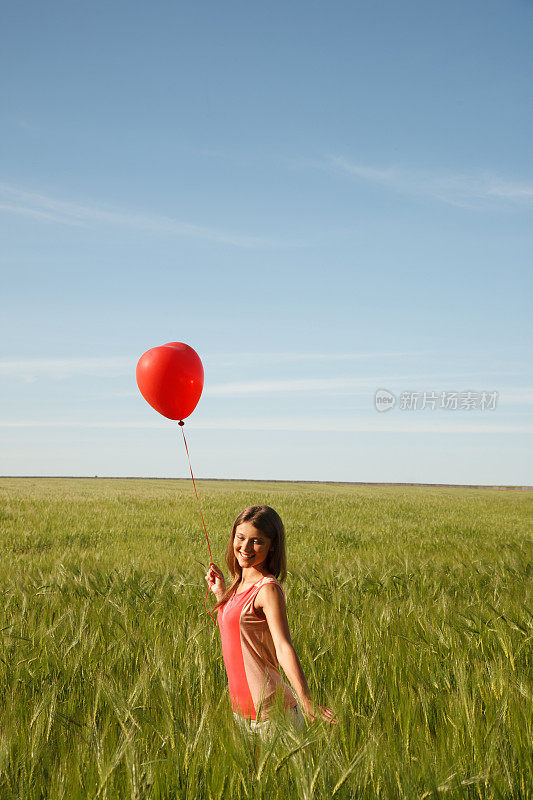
(410,609)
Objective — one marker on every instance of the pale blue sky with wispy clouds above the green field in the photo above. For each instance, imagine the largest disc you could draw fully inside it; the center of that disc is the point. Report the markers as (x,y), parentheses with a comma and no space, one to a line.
(323,200)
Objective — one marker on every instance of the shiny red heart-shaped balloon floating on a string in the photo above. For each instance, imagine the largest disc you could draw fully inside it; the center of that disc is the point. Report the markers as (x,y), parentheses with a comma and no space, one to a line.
(171,379)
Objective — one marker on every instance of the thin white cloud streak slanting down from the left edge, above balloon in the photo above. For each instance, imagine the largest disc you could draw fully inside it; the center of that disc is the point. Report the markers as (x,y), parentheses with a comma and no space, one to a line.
(42,207)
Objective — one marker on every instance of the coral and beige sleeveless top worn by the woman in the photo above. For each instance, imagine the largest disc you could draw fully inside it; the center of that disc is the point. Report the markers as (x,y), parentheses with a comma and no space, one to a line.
(250,655)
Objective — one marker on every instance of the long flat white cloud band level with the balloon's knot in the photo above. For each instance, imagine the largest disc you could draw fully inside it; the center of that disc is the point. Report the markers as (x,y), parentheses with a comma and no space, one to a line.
(376,424)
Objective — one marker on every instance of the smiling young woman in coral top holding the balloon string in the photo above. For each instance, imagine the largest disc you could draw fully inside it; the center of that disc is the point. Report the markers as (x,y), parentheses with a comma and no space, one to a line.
(253,622)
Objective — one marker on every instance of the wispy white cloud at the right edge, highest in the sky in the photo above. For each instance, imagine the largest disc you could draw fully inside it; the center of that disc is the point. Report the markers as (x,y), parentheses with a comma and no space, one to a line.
(455,189)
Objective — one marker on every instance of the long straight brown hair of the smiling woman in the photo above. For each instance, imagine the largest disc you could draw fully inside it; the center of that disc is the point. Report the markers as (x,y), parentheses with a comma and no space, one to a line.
(268,521)
